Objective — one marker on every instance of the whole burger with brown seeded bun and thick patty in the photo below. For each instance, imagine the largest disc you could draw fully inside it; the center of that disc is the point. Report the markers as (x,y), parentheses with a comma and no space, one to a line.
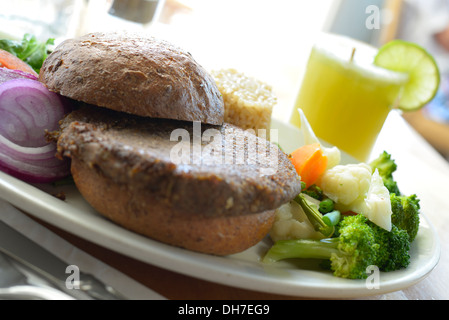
(150,150)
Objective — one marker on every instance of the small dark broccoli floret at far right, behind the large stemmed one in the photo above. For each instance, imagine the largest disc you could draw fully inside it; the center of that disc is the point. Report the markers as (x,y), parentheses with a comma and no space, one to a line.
(406,213)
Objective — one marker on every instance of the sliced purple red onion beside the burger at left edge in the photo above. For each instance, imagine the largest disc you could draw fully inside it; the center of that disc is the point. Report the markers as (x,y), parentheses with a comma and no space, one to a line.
(27,110)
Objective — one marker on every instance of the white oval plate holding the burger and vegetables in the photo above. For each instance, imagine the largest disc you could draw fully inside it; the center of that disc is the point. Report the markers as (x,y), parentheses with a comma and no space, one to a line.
(243,270)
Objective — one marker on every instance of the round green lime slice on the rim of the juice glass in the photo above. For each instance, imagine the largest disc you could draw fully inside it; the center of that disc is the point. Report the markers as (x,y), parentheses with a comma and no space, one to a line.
(424,75)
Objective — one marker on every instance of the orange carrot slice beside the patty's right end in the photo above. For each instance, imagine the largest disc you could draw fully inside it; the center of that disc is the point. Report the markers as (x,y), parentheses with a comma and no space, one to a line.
(309,162)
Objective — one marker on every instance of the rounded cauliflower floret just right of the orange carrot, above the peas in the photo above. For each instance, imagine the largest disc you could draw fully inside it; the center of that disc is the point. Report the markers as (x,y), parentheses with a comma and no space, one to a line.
(345,184)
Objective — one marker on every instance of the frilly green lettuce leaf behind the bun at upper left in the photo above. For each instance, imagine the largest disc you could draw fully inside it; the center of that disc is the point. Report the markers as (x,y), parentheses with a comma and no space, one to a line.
(30,50)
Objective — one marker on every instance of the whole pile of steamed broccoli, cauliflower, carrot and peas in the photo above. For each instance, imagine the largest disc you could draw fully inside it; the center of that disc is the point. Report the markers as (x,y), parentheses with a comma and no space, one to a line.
(350,216)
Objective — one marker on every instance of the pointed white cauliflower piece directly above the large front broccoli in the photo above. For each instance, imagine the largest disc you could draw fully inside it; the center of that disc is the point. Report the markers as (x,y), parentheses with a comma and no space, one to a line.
(377,205)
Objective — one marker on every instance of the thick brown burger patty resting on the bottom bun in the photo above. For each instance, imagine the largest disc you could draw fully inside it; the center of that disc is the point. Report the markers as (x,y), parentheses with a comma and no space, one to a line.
(147,155)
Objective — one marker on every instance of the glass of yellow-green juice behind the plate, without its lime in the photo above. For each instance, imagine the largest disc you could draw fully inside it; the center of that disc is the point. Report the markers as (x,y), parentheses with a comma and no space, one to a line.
(345,98)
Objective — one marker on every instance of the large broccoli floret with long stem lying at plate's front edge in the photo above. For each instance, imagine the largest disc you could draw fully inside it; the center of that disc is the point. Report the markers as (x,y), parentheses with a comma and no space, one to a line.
(359,244)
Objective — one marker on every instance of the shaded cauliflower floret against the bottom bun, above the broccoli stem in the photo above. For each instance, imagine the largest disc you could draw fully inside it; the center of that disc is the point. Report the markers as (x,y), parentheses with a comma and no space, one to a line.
(291,223)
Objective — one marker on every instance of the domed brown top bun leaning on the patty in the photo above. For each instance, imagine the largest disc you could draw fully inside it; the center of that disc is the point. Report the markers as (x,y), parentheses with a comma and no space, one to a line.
(136,74)
